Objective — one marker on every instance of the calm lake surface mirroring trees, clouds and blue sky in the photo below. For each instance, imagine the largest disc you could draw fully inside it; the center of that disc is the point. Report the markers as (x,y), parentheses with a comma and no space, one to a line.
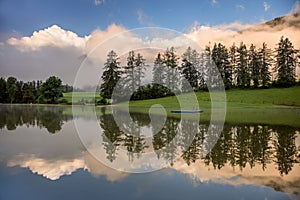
(43,157)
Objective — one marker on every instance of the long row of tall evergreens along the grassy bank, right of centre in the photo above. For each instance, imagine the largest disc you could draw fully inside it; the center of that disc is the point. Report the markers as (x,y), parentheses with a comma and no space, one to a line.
(238,66)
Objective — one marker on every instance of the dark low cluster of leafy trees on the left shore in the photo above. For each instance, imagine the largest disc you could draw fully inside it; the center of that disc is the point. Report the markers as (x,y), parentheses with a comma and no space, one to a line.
(16,91)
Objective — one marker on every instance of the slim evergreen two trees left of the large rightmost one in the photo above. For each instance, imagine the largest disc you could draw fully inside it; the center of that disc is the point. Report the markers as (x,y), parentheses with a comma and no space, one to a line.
(254,65)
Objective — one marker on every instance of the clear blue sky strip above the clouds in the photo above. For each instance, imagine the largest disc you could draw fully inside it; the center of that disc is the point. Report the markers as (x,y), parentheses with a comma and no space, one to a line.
(83,16)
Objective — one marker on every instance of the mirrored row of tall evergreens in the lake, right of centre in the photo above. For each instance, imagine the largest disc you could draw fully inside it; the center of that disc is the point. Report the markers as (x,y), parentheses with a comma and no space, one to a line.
(238,145)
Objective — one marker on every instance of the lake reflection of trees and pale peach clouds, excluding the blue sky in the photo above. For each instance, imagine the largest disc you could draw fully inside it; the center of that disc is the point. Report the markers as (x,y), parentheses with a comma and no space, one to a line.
(263,154)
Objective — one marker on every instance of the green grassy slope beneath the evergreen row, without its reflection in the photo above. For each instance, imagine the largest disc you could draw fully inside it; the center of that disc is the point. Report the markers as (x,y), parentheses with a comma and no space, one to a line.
(238,98)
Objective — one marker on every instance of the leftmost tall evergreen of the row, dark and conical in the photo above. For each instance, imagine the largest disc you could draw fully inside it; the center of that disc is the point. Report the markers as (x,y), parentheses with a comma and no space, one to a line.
(110,76)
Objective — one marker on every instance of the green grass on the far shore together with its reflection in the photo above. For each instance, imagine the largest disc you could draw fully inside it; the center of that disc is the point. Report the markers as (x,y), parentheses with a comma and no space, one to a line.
(261,106)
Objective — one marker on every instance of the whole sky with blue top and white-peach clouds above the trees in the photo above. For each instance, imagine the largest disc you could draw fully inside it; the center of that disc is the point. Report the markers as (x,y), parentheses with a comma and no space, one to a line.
(43,38)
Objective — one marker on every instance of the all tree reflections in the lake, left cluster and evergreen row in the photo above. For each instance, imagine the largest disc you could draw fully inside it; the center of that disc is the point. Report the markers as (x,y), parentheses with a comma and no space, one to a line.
(239,145)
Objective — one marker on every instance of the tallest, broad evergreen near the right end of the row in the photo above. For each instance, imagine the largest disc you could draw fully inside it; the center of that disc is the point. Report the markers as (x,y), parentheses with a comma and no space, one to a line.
(285,63)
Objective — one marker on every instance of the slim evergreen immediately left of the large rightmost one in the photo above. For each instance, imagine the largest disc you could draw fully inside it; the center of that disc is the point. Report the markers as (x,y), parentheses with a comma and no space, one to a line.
(265,63)
